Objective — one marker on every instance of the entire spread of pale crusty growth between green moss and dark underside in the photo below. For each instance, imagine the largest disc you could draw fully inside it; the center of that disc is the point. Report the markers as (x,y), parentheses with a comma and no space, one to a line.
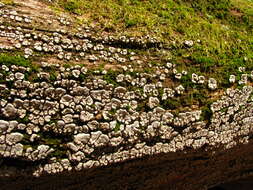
(75,100)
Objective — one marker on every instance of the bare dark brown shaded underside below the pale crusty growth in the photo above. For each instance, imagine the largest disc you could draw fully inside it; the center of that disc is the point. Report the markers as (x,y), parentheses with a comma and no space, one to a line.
(191,170)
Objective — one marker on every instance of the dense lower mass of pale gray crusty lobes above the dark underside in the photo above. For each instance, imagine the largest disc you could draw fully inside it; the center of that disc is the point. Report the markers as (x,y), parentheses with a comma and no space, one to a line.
(75,124)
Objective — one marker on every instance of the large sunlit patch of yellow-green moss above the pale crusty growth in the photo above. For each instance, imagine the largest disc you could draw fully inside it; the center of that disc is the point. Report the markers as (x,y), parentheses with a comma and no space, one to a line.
(222,30)
